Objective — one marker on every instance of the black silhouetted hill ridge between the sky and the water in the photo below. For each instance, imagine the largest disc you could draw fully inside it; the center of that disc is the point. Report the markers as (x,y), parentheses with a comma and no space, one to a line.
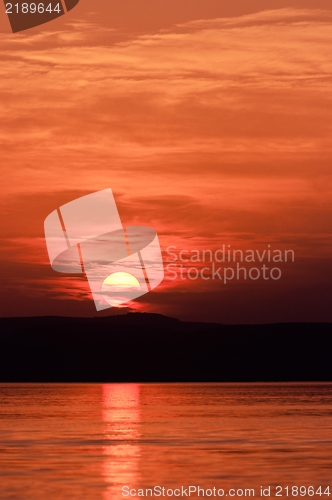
(140,347)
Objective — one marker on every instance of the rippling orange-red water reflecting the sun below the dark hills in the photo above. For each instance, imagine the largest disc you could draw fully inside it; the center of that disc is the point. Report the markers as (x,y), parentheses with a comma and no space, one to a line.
(86,441)
